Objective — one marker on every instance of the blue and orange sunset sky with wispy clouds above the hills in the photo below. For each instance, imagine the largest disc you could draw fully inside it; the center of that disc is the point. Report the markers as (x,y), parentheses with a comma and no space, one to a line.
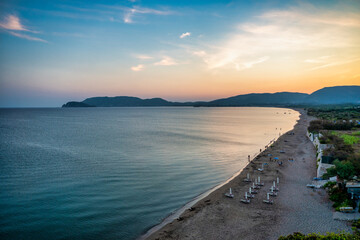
(56,51)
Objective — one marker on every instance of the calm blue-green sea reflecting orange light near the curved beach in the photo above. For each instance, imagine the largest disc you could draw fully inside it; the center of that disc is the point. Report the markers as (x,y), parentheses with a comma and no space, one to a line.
(112,173)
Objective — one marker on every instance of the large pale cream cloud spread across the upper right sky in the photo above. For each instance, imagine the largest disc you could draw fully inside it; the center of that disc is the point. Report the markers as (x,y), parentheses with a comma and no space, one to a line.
(279,32)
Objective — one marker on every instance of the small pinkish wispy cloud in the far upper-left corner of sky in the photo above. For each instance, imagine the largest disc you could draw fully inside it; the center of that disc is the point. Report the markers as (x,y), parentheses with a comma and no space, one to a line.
(12,25)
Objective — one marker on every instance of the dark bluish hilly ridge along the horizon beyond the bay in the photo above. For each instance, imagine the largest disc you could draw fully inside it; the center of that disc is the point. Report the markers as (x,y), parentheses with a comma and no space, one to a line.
(327,95)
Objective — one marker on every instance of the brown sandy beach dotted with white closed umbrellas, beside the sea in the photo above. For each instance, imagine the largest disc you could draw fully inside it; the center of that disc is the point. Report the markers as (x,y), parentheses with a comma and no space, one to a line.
(295,209)
